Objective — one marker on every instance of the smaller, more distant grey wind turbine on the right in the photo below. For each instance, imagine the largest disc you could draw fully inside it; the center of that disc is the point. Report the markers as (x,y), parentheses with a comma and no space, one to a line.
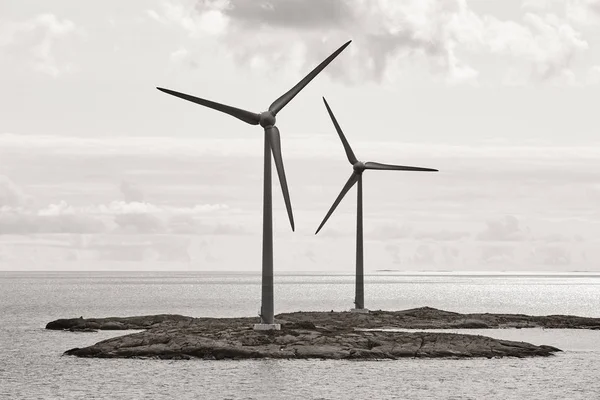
(359,167)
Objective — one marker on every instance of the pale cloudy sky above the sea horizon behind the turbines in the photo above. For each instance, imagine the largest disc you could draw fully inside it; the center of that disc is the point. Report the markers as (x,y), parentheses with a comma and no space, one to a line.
(101,171)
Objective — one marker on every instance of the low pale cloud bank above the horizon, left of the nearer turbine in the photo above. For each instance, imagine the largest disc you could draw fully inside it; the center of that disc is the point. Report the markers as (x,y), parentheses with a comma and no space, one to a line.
(18,216)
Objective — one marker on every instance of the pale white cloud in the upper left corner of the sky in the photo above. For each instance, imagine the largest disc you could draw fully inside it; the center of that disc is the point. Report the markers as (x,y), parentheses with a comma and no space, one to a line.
(36,40)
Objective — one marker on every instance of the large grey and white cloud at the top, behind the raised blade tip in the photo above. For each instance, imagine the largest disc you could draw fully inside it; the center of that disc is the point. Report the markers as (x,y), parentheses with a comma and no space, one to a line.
(388,37)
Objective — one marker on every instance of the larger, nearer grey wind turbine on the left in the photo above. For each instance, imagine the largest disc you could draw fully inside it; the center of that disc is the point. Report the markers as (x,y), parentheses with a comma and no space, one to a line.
(272,145)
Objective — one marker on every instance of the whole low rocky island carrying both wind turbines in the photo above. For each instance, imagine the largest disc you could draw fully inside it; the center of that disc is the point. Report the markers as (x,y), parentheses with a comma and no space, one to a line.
(326,335)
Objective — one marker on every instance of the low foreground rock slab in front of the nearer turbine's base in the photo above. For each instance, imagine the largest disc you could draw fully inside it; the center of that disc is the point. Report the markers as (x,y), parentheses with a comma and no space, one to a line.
(197,341)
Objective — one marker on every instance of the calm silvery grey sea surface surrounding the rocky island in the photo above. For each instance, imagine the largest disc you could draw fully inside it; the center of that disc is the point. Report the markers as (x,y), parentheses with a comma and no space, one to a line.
(31,365)
